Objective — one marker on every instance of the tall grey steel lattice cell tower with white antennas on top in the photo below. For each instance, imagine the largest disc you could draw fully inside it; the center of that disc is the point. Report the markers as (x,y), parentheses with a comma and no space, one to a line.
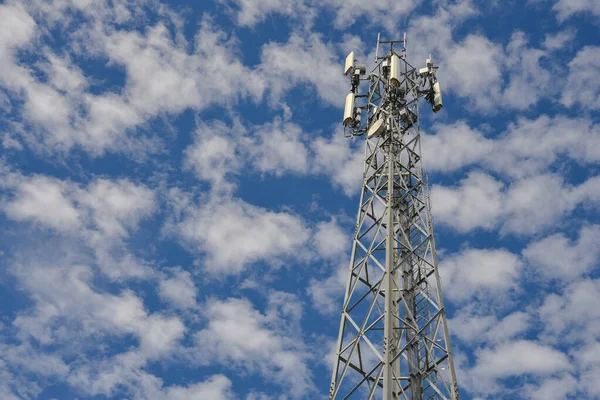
(393,340)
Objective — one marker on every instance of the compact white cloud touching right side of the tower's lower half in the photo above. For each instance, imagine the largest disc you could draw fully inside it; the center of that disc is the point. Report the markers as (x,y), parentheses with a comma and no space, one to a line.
(485,273)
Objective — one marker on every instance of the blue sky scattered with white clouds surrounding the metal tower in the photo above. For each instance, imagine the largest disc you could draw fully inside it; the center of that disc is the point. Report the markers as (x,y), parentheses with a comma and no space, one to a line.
(177,198)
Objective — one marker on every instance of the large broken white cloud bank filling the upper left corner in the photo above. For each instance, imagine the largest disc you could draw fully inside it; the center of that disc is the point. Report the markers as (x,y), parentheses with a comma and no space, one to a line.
(164,75)
